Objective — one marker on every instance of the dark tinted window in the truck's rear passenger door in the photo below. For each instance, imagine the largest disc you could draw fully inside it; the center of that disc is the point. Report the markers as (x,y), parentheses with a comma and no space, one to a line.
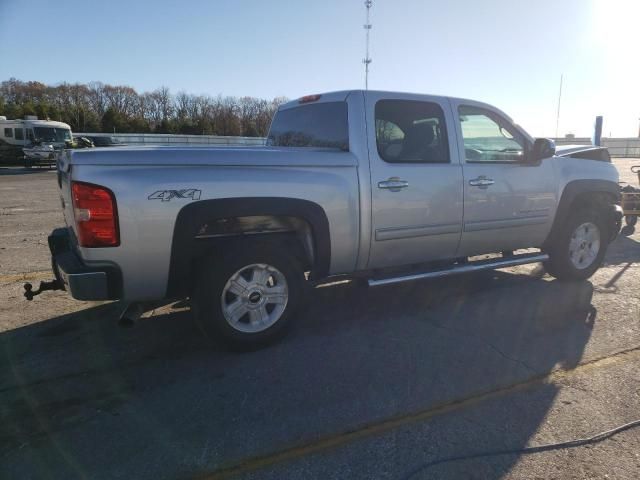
(409,131)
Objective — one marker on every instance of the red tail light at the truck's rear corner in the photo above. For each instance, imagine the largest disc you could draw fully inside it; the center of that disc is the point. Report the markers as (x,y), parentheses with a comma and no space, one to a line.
(96,216)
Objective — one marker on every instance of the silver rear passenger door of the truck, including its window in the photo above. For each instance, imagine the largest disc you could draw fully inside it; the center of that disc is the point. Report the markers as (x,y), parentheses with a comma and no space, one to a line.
(416,180)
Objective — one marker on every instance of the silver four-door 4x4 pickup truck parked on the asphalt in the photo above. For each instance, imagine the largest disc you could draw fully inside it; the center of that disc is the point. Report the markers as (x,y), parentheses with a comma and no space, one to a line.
(389,187)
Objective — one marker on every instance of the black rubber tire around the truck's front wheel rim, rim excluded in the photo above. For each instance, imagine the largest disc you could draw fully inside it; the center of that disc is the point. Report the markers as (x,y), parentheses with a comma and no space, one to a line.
(560,264)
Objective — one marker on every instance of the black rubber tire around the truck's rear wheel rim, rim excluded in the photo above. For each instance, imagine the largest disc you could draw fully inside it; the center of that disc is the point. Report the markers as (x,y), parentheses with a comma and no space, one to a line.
(214,273)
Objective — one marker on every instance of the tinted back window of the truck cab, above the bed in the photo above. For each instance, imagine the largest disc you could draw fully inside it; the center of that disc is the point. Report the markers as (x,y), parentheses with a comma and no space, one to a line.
(320,125)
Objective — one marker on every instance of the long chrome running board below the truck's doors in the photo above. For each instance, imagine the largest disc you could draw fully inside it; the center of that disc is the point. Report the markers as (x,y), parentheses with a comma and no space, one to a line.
(490,264)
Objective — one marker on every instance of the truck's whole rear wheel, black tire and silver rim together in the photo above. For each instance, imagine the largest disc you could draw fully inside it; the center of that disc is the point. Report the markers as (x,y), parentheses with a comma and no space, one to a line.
(247,298)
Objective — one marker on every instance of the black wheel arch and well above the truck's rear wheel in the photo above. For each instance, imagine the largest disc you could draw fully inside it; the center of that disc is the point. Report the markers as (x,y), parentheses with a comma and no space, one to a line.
(216,224)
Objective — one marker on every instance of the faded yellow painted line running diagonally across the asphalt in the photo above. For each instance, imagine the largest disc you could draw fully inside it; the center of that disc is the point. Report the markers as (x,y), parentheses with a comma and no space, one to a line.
(322,444)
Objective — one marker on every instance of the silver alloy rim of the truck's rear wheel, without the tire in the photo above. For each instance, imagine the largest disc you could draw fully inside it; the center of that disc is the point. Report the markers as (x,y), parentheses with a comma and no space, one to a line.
(254,298)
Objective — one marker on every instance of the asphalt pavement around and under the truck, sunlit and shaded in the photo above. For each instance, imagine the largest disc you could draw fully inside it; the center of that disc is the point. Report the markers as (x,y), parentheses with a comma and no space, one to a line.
(371,383)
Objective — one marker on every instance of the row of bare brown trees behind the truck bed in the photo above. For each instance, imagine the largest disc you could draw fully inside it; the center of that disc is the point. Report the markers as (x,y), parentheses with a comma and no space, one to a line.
(99,107)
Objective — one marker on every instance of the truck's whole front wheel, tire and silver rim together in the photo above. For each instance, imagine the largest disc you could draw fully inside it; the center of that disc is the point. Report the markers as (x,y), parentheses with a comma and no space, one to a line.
(580,247)
